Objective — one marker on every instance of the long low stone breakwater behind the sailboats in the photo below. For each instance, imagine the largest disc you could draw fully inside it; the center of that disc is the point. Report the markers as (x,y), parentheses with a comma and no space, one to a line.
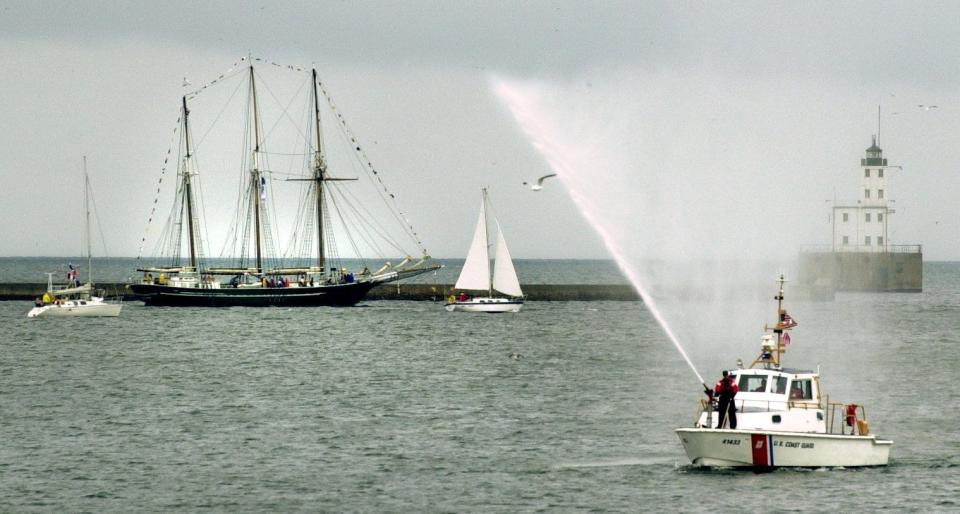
(423,292)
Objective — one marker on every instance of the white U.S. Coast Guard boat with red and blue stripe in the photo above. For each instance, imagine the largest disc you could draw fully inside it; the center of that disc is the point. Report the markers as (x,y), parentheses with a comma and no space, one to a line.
(783,418)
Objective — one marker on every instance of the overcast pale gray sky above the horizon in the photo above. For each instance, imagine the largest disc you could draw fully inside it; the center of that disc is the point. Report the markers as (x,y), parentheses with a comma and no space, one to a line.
(727,125)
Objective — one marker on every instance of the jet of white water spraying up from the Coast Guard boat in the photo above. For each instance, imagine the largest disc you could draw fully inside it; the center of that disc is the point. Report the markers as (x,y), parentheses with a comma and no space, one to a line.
(523,112)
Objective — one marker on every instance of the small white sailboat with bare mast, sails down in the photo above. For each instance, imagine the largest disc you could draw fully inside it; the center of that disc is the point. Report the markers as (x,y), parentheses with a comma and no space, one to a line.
(76,299)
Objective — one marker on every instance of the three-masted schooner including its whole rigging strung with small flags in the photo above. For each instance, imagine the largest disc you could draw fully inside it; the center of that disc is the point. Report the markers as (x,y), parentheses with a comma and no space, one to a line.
(307,227)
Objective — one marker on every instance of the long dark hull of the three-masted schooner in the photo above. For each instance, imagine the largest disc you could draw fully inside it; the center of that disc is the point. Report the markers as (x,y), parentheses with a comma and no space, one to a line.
(326,295)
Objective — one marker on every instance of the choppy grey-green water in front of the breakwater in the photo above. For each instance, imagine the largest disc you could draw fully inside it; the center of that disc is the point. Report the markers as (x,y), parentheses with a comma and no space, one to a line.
(400,406)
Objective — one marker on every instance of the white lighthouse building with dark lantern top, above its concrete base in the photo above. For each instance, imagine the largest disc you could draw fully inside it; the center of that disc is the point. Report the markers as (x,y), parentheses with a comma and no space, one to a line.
(863,227)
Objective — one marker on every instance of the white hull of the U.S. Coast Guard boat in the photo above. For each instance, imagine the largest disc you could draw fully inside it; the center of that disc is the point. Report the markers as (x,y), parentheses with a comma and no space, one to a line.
(764,449)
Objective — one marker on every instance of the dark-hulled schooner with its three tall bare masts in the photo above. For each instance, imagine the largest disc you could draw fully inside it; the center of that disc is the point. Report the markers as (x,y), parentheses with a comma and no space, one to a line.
(188,279)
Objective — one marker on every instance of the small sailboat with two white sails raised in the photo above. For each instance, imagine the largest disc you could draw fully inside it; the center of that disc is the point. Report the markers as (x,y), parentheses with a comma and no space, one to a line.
(476,276)
